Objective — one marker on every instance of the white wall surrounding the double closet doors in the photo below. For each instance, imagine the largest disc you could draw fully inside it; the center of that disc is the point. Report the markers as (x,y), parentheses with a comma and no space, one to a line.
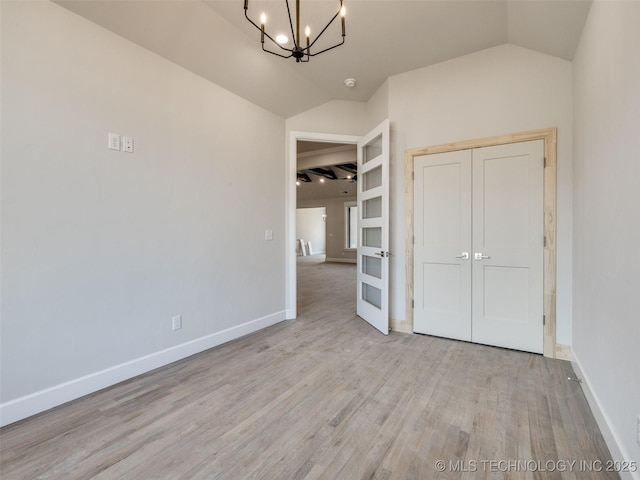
(501,90)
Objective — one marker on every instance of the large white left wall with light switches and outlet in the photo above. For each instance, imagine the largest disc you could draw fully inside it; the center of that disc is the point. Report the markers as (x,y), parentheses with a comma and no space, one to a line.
(101,248)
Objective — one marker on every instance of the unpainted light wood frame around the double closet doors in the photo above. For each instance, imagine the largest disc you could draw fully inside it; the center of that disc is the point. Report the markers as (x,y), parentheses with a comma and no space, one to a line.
(549,136)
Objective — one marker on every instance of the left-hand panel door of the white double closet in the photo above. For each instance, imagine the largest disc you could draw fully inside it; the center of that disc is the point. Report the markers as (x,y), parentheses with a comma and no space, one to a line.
(442,245)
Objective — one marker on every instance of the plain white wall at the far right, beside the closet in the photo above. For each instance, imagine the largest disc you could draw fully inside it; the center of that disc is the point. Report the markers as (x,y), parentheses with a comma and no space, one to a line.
(606,326)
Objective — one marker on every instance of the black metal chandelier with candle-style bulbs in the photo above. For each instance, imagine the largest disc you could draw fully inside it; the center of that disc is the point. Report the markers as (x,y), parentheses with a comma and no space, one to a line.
(298,51)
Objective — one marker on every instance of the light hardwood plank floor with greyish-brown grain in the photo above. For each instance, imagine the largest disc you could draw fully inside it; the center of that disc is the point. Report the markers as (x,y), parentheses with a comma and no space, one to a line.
(322,397)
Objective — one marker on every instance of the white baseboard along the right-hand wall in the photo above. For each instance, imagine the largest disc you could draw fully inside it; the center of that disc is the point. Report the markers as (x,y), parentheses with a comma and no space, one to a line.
(617,450)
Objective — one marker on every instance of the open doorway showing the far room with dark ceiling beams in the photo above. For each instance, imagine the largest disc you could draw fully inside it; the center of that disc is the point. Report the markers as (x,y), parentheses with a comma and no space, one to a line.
(326,191)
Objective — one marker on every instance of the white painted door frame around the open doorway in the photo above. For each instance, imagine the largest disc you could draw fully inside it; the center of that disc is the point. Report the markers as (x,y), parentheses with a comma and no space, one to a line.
(290,211)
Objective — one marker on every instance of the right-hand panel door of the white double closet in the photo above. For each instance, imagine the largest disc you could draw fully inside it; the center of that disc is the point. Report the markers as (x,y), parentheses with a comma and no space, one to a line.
(508,242)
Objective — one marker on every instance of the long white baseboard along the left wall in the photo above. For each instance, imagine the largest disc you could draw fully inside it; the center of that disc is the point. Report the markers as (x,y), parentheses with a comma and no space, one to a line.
(43,400)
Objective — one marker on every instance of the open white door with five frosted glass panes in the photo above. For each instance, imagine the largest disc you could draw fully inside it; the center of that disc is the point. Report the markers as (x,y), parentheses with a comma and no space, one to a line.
(373,228)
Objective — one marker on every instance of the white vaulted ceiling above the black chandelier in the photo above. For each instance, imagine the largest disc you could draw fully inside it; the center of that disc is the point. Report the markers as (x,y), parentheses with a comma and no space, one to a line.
(383,37)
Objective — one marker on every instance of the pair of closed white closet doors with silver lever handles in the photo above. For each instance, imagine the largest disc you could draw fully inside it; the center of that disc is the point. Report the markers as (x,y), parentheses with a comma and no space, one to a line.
(478,253)
